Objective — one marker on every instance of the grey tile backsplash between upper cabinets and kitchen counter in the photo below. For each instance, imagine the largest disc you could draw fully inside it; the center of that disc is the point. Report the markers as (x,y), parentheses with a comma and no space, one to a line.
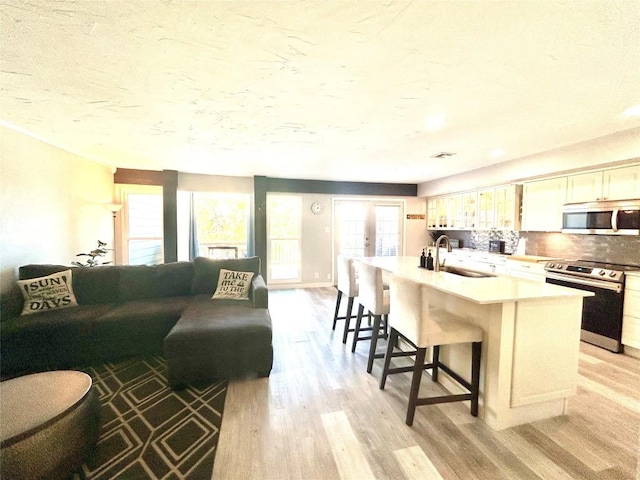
(621,249)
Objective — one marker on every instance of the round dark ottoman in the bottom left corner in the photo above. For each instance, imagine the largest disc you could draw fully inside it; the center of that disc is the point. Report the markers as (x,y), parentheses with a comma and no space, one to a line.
(50,422)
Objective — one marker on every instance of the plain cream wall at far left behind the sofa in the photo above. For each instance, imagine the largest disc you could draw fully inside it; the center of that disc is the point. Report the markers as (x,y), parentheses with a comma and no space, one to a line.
(51,204)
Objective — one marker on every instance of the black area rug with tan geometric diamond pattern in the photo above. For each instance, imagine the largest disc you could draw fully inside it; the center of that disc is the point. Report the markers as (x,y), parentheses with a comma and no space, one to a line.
(148,430)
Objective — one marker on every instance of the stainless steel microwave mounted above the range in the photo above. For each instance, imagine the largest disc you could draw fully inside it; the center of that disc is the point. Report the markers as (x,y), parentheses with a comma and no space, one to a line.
(602,218)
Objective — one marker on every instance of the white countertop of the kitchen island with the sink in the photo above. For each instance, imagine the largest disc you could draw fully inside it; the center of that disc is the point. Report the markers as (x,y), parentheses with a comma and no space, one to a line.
(497,289)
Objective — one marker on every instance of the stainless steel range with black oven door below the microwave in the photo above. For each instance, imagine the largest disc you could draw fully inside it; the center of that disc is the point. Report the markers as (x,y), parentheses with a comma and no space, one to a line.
(602,313)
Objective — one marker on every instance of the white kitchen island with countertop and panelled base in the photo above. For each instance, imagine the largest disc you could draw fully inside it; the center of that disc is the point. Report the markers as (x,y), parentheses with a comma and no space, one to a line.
(531,339)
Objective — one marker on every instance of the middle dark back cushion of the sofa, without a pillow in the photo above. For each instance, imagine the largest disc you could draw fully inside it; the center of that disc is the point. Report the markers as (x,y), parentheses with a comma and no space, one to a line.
(139,282)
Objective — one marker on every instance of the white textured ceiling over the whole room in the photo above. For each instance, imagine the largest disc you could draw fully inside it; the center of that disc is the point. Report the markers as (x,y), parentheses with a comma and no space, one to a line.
(317,90)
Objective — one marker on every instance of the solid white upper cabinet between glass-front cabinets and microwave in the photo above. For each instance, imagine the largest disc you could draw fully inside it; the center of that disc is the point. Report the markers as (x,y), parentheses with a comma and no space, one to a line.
(542,205)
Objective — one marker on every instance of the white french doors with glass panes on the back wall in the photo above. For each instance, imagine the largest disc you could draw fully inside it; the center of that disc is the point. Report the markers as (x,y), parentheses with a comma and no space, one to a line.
(368,228)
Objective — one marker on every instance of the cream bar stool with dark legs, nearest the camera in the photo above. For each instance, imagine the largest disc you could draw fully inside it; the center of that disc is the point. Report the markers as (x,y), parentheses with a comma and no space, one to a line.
(423,326)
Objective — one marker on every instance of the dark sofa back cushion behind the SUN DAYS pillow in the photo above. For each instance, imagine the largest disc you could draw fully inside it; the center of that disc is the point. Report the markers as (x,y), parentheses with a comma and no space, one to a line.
(92,285)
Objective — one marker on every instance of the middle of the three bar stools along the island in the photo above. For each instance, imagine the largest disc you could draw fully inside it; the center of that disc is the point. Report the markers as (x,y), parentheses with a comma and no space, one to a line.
(373,297)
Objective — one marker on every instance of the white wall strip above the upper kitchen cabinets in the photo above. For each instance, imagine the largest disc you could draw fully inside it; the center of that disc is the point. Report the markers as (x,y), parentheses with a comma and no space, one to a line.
(619,148)
